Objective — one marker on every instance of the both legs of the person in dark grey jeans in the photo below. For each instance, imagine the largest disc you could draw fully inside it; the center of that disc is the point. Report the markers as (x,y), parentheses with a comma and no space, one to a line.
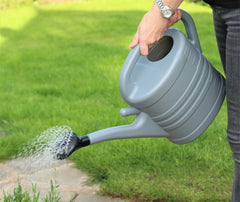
(229,48)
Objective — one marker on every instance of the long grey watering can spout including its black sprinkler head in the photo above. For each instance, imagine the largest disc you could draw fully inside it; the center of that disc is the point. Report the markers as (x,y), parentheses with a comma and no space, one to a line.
(143,126)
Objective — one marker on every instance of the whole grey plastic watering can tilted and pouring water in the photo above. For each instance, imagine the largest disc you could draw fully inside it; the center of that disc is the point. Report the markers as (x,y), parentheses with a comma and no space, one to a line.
(174,93)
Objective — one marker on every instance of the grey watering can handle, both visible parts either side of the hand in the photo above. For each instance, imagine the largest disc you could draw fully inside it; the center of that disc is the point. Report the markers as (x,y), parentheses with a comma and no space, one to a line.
(135,53)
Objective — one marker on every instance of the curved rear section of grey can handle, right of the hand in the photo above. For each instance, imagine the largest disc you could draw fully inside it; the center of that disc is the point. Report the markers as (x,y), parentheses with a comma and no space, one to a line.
(190,29)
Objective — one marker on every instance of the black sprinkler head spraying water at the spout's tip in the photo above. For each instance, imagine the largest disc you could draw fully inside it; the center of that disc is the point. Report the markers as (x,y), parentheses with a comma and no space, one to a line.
(67,144)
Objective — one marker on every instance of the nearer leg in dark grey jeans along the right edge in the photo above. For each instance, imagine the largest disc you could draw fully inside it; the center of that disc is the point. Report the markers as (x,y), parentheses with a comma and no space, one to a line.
(233,98)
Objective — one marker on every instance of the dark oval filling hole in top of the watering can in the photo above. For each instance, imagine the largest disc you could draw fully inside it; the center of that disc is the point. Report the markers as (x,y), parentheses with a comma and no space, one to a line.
(160,49)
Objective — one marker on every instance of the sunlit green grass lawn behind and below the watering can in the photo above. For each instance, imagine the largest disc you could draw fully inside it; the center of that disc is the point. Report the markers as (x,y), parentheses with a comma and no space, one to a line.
(59,65)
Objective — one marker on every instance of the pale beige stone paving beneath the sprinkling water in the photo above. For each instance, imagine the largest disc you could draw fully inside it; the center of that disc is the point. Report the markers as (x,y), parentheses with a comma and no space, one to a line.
(71,181)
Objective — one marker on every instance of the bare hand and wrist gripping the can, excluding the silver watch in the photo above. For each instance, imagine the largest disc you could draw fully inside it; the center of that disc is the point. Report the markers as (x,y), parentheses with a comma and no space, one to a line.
(153,26)
